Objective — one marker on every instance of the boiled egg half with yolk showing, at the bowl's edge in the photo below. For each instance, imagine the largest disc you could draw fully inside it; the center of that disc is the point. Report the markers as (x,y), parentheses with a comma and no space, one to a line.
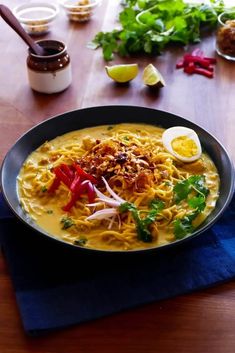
(183,143)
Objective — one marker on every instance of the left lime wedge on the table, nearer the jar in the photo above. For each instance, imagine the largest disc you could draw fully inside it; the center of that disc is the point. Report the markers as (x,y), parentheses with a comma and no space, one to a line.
(122,73)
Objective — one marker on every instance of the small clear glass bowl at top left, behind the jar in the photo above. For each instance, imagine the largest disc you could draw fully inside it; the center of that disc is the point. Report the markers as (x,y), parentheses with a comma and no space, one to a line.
(32,13)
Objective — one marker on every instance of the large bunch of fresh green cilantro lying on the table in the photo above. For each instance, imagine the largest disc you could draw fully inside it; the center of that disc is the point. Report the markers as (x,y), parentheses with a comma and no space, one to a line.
(149,25)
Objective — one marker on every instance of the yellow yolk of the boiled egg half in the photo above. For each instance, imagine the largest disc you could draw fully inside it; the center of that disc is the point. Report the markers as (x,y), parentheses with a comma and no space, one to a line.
(184,146)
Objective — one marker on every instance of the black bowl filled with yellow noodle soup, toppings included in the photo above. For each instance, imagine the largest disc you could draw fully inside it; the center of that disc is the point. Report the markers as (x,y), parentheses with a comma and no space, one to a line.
(118,179)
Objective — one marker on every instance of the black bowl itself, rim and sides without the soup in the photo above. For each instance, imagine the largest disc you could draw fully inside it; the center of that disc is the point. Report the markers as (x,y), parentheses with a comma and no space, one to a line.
(88,117)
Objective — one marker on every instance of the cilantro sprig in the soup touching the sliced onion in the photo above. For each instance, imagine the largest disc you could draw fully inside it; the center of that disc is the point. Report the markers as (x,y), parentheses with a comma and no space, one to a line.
(142,224)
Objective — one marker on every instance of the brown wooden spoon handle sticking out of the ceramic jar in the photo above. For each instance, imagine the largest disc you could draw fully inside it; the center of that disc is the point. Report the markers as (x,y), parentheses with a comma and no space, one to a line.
(12,21)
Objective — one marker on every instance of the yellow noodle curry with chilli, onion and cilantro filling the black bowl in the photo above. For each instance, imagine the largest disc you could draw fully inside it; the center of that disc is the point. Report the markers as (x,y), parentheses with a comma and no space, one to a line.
(117,187)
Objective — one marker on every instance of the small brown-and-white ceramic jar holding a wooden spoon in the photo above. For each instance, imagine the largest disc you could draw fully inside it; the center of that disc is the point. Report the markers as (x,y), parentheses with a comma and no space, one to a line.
(50,73)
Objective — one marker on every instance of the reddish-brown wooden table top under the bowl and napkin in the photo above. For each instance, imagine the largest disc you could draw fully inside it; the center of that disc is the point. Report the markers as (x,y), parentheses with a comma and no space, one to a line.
(200,322)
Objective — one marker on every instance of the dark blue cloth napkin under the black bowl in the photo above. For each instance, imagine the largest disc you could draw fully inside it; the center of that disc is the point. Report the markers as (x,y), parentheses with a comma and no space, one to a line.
(57,287)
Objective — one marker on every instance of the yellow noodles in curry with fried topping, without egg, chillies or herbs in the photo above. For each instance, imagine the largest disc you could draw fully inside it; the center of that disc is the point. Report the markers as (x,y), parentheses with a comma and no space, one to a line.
(136,166)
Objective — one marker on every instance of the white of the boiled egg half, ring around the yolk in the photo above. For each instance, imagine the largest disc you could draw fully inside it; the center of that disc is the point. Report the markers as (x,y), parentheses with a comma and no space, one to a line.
(179,131)
